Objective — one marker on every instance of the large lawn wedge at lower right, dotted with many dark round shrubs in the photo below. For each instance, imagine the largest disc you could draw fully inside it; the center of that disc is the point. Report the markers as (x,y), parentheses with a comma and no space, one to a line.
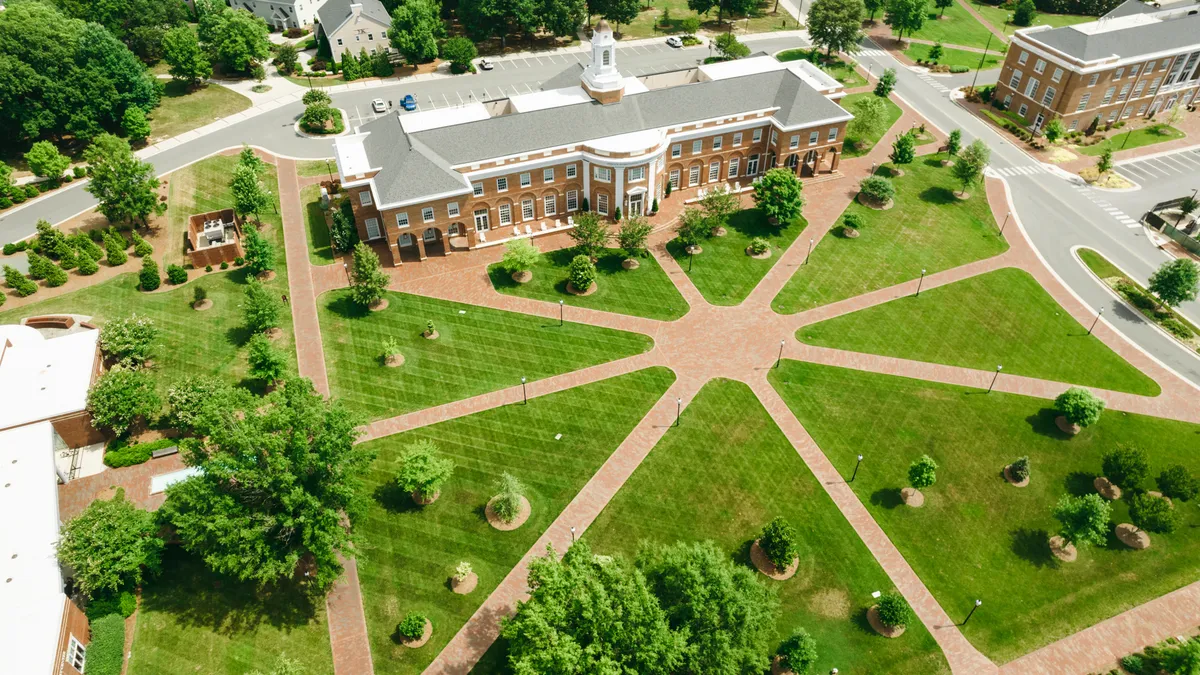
(977,536)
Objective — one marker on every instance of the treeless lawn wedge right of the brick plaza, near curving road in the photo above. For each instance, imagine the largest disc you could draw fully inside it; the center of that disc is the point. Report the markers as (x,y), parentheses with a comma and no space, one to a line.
(1003,318)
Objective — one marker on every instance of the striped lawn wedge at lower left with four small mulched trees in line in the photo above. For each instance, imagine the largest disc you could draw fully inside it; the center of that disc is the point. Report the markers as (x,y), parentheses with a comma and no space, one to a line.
(409,552)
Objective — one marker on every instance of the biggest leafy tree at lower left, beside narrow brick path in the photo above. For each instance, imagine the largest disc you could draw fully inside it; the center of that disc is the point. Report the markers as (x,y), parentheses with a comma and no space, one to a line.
(278,477)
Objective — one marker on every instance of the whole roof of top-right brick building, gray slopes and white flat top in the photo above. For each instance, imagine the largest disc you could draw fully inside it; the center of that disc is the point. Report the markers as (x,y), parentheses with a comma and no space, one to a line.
(1127,35)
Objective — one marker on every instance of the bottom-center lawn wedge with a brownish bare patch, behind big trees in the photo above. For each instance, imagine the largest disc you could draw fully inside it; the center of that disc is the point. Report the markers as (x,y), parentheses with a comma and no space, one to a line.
(723,475)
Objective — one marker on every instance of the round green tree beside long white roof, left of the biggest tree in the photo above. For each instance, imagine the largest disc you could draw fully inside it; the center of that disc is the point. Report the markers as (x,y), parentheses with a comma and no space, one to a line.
(111,547)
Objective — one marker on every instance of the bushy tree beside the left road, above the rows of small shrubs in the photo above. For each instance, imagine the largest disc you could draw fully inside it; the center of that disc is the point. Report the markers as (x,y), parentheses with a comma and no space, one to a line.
(124,186)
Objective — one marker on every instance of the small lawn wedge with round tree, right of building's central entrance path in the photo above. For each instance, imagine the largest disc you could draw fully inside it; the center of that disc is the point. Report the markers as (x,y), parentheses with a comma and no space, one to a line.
(723,272)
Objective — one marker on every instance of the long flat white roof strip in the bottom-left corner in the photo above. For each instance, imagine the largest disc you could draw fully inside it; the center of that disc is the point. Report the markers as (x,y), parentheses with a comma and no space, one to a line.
(32,599)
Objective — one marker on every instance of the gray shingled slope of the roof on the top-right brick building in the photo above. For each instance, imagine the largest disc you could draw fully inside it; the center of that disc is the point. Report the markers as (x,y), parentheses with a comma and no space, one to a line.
(1135,41)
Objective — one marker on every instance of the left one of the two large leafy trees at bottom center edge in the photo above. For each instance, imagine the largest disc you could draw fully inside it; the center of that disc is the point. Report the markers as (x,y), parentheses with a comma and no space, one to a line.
(587,614)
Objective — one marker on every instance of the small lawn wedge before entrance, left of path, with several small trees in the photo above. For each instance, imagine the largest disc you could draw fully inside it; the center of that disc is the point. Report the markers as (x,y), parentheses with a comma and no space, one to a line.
(646,291)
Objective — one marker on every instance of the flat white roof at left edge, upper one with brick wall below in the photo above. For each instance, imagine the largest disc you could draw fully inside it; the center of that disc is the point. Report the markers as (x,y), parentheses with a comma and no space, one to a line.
(44,378)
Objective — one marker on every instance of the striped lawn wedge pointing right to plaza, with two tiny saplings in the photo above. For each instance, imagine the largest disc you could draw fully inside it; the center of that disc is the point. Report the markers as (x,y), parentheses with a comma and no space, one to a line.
(479,351)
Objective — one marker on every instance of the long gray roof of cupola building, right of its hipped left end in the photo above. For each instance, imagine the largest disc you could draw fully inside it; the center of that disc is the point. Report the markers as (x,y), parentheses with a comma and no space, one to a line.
(674,106)
